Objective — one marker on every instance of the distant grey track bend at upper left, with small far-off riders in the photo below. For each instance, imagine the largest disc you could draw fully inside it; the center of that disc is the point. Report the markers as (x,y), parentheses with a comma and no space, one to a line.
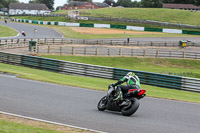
(42,32)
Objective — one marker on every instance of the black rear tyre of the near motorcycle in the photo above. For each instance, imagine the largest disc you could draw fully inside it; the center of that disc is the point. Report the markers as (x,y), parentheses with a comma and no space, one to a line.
(132,109)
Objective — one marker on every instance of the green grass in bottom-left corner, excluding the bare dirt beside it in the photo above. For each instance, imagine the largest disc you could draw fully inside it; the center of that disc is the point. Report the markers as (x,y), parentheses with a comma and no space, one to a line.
(11,127)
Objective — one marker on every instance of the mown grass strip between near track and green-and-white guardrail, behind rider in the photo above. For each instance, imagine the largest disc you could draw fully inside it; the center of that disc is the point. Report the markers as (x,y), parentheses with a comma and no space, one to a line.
(94,83)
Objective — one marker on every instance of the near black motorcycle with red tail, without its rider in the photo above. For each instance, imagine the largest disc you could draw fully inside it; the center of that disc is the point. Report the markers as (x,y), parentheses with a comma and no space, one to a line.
(127,106)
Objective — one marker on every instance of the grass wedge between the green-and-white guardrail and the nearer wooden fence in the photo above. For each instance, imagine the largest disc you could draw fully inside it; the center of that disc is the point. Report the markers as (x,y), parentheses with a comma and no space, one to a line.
(181,67)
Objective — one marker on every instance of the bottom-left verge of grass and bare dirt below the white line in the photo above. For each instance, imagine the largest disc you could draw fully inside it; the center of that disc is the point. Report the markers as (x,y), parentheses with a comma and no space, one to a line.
(12,124)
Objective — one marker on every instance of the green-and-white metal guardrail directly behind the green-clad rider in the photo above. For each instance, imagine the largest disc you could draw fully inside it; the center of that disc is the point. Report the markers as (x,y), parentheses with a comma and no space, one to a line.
(66,67)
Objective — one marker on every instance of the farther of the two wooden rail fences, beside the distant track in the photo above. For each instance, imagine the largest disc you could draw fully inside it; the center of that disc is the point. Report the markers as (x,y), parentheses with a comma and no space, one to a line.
(48,41)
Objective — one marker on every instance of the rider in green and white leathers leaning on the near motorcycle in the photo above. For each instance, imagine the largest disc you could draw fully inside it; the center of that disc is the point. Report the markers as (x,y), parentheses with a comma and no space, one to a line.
(132,81)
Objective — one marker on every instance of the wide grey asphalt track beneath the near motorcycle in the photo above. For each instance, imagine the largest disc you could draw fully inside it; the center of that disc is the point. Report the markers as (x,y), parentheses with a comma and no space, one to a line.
(77,107)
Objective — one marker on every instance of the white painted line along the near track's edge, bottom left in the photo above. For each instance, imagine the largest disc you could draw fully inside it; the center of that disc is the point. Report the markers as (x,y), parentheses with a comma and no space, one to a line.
(50,122)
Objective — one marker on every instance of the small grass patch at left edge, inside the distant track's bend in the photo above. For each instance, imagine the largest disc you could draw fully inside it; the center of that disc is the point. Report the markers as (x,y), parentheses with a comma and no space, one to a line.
(6,31)
